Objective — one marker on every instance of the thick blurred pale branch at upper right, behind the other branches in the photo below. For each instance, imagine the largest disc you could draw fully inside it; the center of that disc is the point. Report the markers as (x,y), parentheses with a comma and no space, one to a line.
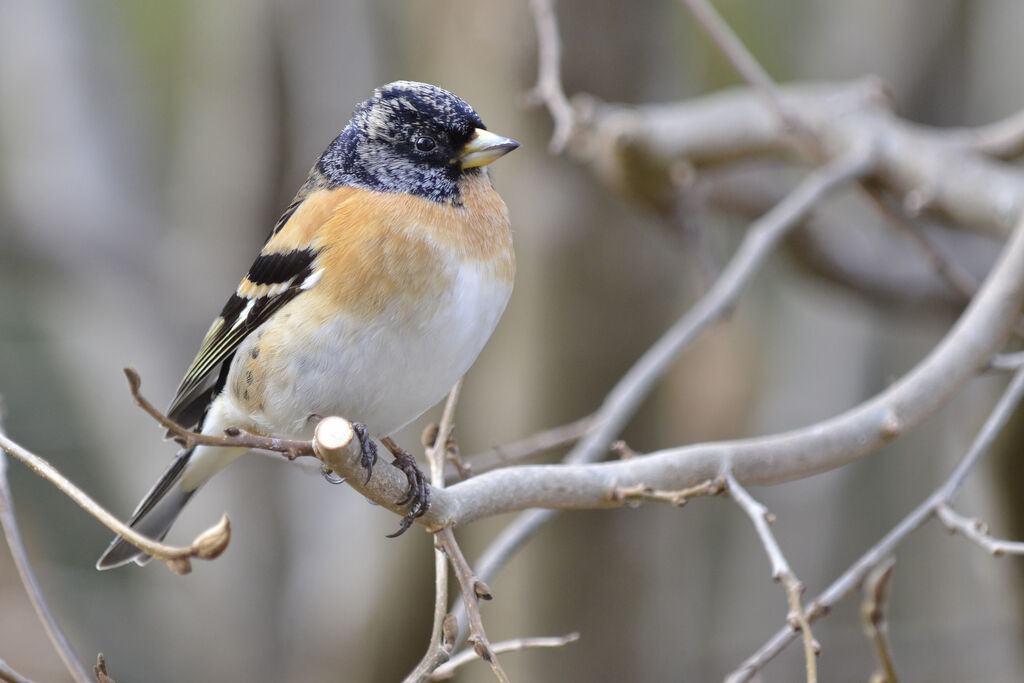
(946,178)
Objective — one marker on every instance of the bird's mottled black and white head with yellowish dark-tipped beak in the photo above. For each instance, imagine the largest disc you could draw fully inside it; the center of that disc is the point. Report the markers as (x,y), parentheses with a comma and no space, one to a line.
(414,139)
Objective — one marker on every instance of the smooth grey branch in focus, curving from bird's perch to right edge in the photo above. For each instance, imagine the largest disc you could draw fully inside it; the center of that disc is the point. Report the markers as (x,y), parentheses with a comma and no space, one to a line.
(968,348)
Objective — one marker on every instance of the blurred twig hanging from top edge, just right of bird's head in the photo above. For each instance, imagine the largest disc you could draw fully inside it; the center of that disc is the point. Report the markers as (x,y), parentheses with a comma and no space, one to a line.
(549,81)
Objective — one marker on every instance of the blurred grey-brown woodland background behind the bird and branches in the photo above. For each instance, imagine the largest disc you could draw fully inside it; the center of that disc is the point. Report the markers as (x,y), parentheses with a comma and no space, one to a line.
(147,149)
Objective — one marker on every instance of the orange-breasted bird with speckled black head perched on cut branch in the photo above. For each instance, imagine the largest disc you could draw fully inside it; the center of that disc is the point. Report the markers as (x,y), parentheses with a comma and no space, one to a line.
(375,292)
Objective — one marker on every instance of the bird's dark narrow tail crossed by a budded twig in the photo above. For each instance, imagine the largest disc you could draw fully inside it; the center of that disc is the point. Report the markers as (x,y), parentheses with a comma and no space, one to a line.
(153,518)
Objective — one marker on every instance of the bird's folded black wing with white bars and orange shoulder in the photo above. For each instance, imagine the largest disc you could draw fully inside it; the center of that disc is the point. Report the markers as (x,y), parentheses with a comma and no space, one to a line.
(285,269)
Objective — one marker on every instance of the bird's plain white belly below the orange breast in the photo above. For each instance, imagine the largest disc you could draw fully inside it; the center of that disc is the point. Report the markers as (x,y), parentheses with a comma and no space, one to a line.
(383,373)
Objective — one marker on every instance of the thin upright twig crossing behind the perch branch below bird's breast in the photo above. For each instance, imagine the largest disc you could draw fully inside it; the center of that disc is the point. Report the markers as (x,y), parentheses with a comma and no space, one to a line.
(442,636)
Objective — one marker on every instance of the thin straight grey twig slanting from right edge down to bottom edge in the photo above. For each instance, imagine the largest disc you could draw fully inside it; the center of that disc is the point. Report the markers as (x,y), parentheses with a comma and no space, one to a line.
(852,578)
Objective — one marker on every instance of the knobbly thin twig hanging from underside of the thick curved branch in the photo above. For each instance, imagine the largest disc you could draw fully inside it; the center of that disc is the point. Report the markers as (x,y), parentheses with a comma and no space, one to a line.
(781,571)
